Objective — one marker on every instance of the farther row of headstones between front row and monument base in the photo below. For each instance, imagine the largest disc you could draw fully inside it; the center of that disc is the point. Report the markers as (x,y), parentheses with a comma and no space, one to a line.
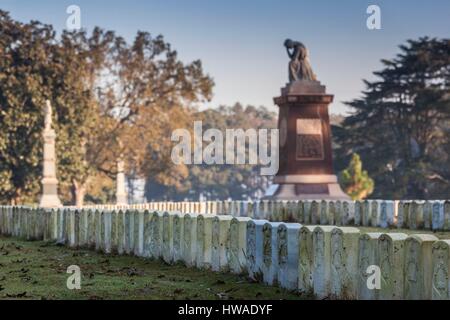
(427,215)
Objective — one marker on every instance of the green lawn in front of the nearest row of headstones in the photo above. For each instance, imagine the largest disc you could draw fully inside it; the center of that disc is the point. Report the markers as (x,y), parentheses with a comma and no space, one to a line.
(37,270)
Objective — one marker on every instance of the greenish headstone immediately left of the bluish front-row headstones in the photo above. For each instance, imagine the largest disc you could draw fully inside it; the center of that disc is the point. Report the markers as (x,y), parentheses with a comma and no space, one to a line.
(236,245)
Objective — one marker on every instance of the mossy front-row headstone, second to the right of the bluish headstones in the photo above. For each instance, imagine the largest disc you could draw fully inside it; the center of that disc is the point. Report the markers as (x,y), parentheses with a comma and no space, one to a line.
(322,261)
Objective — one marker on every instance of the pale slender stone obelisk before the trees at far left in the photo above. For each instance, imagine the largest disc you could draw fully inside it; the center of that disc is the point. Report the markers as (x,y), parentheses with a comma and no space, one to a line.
(49,198)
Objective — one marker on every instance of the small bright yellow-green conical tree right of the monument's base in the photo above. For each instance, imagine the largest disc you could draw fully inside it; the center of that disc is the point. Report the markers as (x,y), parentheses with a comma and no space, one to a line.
(355,181)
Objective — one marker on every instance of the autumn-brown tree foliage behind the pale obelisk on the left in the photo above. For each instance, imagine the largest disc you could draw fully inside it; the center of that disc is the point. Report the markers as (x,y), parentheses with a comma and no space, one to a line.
(111,100)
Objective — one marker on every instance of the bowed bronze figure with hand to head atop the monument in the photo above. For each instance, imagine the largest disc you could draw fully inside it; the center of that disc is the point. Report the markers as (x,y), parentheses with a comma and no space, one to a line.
(299,66)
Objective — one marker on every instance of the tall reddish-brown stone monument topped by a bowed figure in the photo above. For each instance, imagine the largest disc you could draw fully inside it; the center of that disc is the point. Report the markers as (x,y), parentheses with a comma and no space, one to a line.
(306,165)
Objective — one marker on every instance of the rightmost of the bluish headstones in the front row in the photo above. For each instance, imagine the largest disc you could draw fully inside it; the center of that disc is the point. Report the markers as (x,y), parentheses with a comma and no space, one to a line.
(288,255)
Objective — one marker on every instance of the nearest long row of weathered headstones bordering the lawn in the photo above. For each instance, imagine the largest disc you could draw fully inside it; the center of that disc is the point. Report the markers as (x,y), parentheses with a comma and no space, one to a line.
(321,261)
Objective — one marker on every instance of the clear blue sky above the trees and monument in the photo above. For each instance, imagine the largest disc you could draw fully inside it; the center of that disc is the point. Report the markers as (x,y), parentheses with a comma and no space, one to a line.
(240,42)
